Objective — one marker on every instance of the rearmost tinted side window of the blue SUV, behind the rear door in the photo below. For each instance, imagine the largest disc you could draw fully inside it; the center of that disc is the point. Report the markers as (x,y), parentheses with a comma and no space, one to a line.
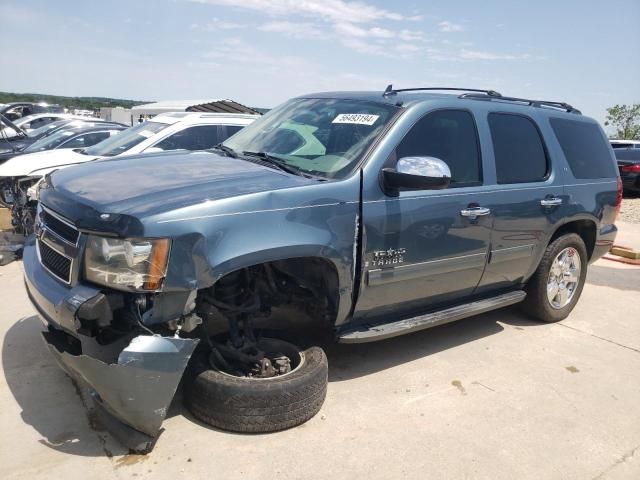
(585,148)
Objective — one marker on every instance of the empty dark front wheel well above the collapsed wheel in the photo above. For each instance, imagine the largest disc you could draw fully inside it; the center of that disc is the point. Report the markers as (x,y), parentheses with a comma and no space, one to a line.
(292,293)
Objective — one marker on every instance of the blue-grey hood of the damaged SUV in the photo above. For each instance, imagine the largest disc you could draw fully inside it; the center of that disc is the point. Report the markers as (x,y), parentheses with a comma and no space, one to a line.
(147,184)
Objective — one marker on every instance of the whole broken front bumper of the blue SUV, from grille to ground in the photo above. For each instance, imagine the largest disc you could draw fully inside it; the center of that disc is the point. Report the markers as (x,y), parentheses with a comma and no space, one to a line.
(131,387)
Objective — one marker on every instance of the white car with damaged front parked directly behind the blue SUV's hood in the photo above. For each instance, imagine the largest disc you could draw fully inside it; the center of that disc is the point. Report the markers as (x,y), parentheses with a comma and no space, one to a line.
(168,131)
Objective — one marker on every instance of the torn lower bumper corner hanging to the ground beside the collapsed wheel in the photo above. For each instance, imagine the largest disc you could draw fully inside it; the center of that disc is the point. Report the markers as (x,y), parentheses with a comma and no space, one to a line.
(138,389)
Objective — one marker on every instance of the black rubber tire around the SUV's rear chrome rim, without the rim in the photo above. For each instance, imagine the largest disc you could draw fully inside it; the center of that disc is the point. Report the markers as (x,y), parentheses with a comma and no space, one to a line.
(536,304)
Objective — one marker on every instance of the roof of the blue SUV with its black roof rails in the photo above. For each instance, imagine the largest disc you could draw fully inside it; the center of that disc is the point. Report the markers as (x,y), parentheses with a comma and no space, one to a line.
(414,96)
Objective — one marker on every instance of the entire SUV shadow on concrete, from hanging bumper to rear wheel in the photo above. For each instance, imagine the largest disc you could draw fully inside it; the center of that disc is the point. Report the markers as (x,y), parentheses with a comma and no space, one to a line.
(53,408)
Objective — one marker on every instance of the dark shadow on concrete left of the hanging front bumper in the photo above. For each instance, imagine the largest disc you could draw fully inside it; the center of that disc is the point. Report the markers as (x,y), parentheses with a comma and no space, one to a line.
(46,396)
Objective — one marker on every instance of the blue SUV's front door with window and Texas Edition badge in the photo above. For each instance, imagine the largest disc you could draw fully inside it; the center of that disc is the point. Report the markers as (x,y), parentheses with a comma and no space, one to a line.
(422,249)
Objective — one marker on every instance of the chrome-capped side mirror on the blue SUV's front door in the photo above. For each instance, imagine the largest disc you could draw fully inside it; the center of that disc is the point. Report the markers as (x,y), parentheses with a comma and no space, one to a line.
(416,173)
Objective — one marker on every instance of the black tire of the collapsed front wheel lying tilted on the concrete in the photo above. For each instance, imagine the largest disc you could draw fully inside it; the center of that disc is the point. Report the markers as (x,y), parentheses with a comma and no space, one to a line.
(240,404)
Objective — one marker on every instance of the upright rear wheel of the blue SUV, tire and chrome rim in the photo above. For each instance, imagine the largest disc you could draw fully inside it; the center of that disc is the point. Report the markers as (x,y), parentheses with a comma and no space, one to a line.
(555,287)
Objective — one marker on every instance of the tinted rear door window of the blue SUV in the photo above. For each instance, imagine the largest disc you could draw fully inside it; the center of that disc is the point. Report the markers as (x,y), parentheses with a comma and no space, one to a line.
(519,152)
